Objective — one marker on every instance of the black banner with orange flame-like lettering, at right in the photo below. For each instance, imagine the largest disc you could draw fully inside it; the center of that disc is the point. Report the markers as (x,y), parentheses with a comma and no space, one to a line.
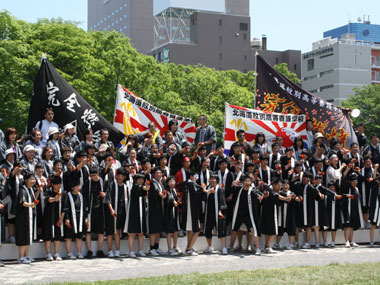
(275,93)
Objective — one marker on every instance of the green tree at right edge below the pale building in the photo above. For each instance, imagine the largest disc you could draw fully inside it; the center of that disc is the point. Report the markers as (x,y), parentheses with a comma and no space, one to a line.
(367,100)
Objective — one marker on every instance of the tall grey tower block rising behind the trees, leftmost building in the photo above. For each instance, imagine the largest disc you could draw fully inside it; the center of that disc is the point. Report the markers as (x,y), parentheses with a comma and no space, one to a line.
(134,18)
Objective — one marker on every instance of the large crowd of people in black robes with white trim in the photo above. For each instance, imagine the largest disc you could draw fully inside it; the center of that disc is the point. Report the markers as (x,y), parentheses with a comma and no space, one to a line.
(57,188)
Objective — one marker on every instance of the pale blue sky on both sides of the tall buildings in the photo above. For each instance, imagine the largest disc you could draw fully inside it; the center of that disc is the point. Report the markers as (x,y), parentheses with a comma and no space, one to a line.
(292,24)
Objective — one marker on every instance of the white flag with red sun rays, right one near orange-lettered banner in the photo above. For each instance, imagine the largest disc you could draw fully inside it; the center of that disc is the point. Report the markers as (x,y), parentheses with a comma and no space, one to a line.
(252,121)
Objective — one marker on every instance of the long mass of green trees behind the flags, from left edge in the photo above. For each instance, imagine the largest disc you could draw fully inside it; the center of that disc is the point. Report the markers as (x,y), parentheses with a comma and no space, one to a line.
(95,62)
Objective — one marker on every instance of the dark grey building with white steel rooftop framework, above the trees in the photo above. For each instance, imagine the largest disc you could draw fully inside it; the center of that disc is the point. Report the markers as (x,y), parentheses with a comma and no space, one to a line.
(215,35)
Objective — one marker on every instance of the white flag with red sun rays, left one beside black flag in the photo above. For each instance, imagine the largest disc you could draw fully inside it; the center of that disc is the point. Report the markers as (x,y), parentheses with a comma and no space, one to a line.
(133,114)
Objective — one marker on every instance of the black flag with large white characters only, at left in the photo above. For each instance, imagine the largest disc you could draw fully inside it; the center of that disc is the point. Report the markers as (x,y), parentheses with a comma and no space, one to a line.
(52,90)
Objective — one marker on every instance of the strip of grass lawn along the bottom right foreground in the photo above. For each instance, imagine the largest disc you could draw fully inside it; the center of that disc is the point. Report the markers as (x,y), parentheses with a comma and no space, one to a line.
(365,273)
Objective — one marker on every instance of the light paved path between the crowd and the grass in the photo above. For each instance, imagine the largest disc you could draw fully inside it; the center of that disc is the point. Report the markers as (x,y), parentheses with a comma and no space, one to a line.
(115,269)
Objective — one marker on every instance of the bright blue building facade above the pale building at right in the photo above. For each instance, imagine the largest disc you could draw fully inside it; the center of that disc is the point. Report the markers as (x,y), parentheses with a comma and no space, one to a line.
(365,32)
